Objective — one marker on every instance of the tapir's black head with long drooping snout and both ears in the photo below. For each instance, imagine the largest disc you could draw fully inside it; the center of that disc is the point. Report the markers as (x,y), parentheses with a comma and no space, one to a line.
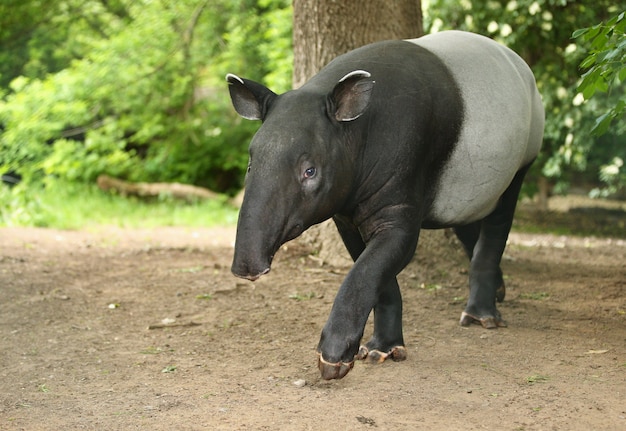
(301,163)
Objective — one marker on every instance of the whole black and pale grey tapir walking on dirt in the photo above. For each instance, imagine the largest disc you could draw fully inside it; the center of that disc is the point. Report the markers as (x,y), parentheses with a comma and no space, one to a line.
(387,139)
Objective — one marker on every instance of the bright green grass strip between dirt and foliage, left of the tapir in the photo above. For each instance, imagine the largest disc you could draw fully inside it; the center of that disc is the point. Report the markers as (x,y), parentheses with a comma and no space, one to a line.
(76,206)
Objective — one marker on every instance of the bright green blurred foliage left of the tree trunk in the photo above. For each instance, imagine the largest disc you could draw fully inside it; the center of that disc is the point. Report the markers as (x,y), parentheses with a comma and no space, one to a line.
(135,89)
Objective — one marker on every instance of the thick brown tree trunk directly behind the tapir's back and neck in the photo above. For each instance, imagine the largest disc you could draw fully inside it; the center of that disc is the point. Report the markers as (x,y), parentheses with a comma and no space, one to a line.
(324,29)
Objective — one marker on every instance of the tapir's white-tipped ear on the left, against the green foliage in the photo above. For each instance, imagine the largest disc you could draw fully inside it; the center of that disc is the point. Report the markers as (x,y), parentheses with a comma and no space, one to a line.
(250,99)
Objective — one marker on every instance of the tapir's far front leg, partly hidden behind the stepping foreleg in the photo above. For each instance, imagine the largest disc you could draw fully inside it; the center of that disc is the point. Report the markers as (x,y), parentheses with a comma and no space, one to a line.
(387,340)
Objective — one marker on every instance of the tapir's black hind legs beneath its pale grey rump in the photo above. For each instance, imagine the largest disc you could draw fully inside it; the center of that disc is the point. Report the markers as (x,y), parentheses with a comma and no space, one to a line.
(486,281)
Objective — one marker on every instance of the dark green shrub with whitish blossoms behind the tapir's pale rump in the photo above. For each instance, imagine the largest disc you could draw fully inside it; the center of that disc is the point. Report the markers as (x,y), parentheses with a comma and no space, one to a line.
(540,31)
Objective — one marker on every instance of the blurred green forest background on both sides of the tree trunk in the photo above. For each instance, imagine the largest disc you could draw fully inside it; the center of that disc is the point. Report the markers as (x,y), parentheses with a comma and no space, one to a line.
(135,89)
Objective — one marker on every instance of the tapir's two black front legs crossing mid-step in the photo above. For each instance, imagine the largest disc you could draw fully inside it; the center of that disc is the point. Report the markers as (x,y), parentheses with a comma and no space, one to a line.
(369,285)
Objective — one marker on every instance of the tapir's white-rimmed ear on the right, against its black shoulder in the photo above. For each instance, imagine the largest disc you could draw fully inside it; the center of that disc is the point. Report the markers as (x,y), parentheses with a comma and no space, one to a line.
(351,95)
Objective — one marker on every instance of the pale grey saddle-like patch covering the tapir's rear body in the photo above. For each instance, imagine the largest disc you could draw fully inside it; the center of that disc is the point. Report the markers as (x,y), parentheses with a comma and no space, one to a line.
(502,126)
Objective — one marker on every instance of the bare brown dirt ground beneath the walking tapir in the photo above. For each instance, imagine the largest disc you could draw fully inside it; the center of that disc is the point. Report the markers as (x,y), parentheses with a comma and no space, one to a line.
(147,329)
